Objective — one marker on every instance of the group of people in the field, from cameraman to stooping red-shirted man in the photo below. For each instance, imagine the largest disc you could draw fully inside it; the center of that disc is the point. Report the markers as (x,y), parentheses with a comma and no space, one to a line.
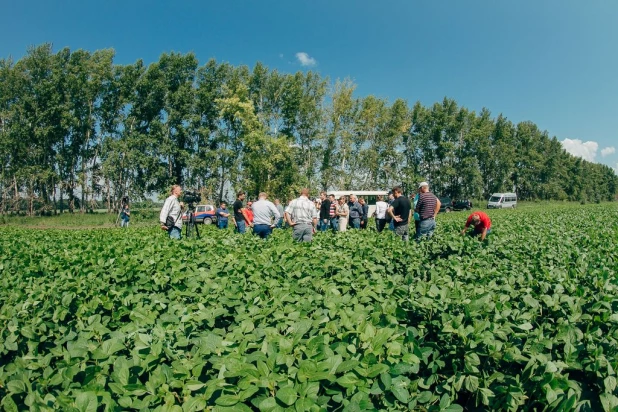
(306,216)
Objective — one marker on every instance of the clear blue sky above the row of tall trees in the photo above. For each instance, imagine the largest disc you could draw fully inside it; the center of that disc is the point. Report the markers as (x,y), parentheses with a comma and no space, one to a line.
(553,62)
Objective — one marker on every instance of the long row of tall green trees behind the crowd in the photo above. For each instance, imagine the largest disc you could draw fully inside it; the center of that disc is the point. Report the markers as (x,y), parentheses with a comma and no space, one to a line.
(75,128)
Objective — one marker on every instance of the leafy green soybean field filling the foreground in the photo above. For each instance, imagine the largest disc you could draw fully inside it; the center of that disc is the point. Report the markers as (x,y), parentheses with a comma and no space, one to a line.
(114,320)
